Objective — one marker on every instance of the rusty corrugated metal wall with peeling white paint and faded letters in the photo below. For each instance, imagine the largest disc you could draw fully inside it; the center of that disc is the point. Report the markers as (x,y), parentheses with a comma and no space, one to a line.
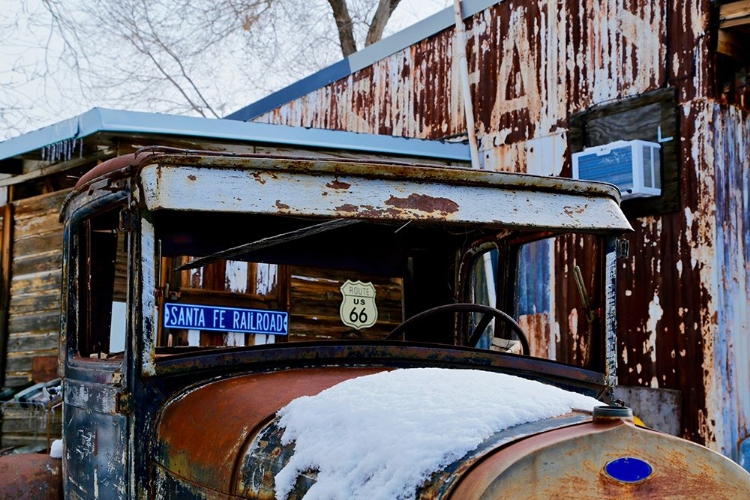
(683,307)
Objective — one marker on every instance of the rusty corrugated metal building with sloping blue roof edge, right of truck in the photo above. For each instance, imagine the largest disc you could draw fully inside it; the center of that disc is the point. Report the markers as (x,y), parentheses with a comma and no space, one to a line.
(548,79)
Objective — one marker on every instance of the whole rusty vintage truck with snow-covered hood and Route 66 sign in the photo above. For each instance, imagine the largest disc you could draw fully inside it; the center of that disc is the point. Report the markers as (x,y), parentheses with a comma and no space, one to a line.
(209,296)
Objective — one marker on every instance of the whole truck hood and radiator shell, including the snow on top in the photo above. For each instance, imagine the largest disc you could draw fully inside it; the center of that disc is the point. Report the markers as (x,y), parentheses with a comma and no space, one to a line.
(256,436)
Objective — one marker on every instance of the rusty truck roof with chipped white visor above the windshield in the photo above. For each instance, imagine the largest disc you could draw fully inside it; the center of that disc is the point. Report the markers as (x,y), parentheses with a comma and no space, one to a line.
(328,186)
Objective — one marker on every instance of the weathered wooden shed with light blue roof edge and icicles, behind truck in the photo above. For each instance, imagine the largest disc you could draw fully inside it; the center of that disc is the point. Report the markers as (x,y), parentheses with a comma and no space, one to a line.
(40,168)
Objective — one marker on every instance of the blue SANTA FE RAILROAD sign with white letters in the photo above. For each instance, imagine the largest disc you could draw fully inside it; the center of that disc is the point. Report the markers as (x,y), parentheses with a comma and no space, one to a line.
(225,319)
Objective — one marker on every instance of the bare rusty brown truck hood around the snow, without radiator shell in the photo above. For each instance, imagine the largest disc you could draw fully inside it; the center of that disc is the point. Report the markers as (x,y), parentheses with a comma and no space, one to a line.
(225,436)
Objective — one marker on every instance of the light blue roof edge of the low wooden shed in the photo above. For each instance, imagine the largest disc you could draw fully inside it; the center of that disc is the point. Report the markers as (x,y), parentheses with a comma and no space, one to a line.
(100,120)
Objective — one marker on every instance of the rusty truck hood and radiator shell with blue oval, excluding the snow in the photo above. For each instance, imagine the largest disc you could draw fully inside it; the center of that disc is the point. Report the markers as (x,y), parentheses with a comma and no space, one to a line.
(225,440)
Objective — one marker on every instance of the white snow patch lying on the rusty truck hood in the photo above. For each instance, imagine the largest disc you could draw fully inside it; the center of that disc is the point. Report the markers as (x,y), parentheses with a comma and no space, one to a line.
(381,436)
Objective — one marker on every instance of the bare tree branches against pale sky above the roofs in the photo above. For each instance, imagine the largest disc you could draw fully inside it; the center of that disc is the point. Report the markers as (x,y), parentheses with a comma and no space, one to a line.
(199,57)
